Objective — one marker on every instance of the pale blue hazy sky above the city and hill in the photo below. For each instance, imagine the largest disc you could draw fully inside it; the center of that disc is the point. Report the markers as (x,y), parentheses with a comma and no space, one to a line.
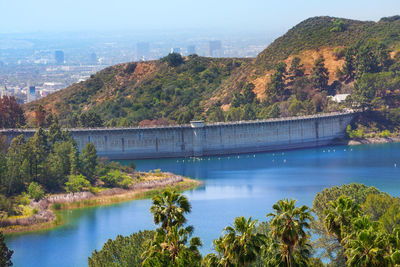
(255,15)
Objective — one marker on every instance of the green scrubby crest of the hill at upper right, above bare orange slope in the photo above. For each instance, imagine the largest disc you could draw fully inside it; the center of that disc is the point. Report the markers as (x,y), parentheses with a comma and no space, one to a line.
(317,32)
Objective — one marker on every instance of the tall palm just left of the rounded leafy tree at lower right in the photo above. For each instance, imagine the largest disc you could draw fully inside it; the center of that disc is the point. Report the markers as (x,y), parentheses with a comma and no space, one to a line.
(288,227)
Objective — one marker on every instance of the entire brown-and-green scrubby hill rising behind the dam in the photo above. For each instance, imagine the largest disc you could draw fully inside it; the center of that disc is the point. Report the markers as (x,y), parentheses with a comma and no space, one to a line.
(294,75)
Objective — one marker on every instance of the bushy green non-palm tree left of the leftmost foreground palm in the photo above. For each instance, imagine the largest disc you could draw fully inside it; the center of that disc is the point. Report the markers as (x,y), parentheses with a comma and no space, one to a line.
(123,251)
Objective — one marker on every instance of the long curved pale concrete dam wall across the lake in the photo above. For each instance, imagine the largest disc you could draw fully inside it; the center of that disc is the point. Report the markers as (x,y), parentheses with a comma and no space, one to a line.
(200,139)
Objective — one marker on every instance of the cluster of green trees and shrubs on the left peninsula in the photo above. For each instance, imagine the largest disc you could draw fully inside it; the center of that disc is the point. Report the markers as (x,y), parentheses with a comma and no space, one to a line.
(49,162)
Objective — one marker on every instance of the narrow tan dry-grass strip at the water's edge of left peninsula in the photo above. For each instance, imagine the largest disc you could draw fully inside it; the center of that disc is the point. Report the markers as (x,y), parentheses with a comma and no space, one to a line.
(59,220)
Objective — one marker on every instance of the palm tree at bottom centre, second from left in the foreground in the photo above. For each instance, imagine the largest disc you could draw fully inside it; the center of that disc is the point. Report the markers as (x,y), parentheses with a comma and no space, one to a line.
(238,247)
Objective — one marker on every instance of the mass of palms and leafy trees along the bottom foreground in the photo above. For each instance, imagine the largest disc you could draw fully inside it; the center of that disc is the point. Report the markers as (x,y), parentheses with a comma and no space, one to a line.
(356,226)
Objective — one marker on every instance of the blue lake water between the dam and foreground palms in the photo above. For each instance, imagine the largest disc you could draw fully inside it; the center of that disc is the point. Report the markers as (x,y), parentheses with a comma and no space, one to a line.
(241,185)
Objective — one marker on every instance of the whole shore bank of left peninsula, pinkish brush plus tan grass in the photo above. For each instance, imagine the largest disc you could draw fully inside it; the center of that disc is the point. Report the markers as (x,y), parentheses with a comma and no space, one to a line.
(50,216)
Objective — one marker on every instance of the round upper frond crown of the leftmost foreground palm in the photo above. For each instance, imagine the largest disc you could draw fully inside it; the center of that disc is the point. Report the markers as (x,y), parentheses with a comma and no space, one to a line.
(169,209)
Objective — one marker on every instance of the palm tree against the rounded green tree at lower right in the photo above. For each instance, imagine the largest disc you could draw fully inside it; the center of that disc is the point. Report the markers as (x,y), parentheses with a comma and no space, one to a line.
(338,216)
